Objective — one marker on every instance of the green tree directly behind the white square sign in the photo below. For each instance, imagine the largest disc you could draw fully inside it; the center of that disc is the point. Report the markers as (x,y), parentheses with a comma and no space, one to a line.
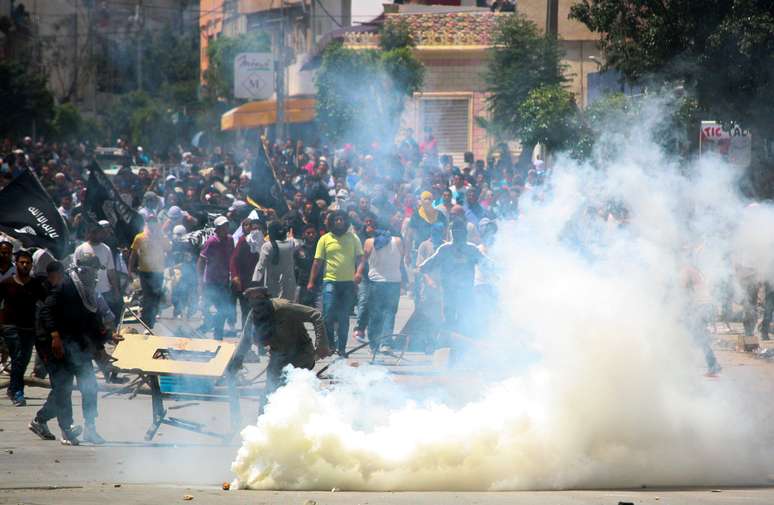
(221,52)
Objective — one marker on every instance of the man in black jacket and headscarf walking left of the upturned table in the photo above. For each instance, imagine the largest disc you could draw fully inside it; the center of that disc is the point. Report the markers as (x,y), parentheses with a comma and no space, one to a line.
(70,315)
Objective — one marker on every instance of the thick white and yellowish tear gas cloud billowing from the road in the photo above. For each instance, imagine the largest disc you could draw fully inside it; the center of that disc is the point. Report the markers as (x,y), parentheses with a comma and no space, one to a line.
(590,374)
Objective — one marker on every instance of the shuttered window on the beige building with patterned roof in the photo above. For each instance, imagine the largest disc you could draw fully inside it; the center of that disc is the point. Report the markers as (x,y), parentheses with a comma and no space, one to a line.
(449,120)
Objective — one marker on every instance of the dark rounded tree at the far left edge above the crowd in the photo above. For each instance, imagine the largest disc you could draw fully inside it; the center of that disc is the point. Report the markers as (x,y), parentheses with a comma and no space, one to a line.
(24,100)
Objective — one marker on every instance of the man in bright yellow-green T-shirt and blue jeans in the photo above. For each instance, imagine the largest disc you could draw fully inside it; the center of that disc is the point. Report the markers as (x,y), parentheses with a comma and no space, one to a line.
(339,252)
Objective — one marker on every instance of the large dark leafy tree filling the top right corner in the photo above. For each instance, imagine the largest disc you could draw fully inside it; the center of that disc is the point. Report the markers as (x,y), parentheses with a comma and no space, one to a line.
(721,50)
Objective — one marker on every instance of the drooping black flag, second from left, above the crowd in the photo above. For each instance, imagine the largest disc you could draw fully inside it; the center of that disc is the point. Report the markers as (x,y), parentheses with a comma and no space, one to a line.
(104,202)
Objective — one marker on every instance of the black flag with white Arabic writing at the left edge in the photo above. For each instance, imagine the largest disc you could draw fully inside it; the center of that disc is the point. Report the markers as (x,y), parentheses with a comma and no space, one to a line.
(28,214)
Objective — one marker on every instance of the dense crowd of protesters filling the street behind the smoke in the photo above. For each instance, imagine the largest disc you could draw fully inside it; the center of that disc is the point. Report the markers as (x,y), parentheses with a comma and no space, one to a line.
(363,226)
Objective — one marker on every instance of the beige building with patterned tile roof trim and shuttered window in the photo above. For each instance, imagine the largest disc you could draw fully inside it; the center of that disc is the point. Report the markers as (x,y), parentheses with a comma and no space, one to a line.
(453,42)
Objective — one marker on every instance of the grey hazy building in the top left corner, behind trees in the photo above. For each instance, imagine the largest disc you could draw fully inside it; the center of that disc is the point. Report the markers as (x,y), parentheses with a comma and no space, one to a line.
(89,50)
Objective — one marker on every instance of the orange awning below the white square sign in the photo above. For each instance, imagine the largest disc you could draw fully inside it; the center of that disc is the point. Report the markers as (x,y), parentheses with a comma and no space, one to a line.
(264,113)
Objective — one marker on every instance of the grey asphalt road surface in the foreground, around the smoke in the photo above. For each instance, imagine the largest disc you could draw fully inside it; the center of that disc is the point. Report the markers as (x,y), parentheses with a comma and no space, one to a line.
(178,464)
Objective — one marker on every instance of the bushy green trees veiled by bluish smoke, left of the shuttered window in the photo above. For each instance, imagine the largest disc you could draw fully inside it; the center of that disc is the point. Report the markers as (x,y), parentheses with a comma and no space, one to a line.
(361,93)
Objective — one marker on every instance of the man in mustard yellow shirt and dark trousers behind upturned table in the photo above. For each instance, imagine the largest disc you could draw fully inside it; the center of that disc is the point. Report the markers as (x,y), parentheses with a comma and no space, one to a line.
(147,261)
